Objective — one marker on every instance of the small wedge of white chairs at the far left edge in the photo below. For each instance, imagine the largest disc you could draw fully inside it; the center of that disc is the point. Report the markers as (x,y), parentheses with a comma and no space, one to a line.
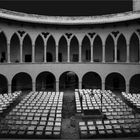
(7,99)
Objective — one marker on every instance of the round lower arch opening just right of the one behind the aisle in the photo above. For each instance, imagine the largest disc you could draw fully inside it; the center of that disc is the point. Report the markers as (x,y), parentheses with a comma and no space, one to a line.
(91,80)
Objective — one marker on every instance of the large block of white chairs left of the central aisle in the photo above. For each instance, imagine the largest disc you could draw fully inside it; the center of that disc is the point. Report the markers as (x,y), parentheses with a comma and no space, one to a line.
(39,114)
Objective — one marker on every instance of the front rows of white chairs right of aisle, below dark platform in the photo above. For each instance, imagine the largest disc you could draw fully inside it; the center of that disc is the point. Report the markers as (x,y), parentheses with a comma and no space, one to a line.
(108,128)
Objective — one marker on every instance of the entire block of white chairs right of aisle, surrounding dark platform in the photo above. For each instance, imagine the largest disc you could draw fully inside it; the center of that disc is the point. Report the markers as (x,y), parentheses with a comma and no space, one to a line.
(120,120)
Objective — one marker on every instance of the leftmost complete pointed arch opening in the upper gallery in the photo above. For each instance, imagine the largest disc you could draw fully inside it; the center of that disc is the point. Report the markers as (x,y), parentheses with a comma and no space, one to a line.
(15,49)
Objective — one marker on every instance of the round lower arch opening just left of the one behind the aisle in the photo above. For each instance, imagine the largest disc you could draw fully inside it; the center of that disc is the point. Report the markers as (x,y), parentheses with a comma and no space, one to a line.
(45,81)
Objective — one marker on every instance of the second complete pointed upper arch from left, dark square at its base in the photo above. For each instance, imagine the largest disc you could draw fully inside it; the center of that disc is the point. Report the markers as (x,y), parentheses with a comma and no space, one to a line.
(27,49)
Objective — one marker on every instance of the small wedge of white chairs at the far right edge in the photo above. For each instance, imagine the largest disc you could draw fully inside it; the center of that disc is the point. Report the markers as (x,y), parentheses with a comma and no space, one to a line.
(133,99)
